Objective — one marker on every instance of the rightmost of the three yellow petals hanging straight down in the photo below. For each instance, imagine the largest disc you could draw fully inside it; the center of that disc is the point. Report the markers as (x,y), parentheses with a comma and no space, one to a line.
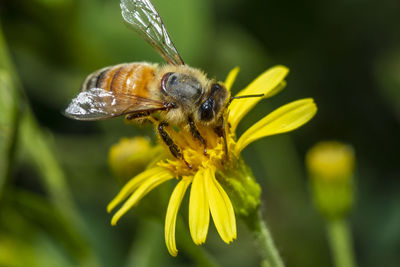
(220,207)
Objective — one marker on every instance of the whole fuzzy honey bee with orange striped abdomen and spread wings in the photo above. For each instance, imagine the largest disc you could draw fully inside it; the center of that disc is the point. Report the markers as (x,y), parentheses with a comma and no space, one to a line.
(178,93)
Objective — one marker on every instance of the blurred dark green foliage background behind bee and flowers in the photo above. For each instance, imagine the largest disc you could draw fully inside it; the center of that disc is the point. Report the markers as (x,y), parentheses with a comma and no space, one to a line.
(54,179)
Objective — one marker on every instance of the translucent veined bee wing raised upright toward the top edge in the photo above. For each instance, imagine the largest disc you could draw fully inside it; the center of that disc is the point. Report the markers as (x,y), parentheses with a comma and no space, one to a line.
(143,17)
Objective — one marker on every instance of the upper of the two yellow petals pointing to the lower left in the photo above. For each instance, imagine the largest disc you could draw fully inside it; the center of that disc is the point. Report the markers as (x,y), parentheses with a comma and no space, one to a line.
(134,183)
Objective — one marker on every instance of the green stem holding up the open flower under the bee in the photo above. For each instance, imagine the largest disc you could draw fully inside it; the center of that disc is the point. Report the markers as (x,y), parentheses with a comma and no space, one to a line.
(265,243)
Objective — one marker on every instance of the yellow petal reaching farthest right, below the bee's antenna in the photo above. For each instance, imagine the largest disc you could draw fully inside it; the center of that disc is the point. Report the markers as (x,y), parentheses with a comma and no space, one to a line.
(281,120)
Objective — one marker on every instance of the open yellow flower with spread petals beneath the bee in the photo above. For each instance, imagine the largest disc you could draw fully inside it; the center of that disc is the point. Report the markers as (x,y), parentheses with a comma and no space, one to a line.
(211,169)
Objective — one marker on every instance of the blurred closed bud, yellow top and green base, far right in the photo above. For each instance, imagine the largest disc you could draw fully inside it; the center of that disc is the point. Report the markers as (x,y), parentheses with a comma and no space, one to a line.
(331,166)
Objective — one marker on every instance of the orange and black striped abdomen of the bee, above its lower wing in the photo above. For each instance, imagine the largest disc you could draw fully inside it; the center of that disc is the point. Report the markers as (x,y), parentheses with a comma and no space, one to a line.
(130,78)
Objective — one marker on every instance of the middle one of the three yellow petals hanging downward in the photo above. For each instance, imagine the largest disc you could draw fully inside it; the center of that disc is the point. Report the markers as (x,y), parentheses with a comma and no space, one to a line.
(199,212)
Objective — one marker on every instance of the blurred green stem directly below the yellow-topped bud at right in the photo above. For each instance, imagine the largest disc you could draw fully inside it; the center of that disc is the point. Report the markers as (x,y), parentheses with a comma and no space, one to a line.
(340,241)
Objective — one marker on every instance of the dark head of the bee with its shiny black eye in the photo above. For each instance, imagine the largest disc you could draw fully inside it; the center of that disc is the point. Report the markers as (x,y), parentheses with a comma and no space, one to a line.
(211,106)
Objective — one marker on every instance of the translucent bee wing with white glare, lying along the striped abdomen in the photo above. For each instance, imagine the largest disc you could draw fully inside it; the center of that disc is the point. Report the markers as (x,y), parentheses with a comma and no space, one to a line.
(98,104)
